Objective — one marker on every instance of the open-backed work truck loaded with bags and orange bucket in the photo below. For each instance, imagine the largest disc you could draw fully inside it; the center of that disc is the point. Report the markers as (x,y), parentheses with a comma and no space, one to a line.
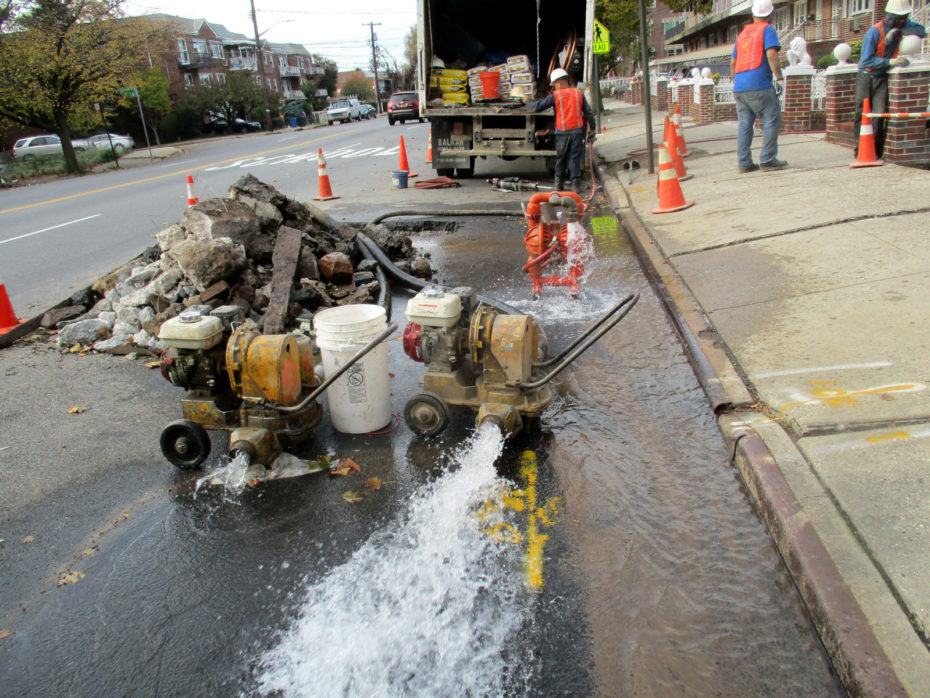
(457,40)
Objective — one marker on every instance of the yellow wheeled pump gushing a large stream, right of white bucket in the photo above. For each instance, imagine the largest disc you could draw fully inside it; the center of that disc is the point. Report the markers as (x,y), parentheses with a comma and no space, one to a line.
(484,360)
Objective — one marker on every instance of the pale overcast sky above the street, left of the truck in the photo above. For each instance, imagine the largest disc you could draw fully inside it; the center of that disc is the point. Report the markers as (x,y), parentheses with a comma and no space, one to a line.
(339,32)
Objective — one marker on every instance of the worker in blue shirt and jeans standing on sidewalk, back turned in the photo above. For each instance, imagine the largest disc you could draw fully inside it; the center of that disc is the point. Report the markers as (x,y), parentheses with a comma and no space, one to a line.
(754,63)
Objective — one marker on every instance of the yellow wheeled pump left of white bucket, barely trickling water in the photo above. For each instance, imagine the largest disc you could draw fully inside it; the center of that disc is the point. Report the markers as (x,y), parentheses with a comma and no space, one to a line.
(260,388)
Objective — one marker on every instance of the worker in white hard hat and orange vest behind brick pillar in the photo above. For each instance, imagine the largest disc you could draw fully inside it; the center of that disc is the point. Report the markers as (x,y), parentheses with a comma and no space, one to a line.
(880,52)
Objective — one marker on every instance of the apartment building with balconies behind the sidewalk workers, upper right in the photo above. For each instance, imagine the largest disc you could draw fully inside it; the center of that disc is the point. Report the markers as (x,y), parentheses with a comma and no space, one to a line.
(707,40)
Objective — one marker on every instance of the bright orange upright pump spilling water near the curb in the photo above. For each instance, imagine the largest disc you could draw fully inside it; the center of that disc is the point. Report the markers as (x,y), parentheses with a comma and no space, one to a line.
(555,235)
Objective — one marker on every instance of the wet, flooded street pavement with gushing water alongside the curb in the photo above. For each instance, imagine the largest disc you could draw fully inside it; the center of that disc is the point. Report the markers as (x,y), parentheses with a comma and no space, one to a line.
(609,550)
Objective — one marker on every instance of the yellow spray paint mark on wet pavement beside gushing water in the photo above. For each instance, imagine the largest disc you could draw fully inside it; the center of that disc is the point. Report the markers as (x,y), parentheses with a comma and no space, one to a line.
(525,501)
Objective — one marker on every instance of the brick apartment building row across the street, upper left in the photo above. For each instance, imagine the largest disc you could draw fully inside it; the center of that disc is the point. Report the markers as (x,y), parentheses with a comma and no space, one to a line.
(203,52)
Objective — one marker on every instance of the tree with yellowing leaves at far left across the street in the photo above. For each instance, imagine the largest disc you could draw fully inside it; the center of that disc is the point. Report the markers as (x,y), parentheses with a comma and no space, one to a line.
(60,56)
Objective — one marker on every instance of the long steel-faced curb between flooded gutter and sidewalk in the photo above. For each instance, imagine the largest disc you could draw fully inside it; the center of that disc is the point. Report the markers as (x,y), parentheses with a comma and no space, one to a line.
(846,634)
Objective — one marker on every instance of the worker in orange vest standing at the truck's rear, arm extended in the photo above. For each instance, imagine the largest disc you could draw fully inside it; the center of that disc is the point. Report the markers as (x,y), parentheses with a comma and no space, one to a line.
(573,120)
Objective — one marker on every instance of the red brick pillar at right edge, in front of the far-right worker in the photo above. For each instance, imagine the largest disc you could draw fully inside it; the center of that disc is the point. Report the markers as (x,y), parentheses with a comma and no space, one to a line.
(907,141)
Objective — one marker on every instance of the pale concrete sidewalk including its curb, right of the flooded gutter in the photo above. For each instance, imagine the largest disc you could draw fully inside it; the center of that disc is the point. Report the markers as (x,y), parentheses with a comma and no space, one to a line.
(802,296)
